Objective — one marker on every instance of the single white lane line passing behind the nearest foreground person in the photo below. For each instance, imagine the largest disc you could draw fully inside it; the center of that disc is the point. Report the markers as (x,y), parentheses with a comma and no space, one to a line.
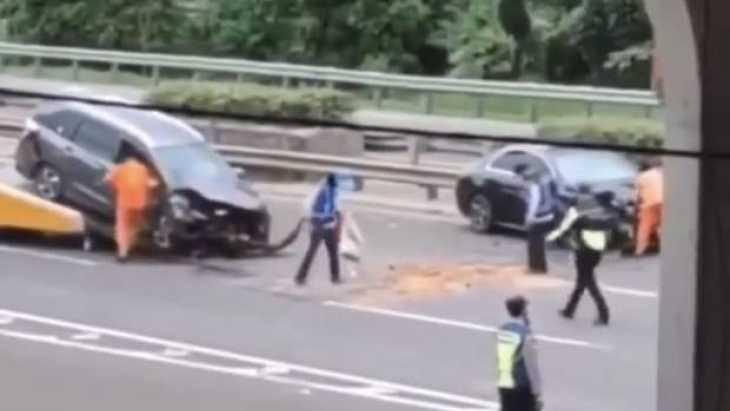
(459,324)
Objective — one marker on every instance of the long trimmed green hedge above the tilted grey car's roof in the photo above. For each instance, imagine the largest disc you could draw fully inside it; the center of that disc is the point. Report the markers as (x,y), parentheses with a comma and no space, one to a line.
(254,99)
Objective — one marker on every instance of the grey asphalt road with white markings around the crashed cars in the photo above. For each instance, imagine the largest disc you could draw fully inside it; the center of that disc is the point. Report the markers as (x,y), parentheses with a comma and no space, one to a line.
(78,331)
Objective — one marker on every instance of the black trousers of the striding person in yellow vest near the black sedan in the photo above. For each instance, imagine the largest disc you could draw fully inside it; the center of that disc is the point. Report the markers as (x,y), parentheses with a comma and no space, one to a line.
(586,261)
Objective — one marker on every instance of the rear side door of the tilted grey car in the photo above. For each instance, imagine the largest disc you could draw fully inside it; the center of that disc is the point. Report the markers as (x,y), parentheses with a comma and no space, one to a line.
(96,146)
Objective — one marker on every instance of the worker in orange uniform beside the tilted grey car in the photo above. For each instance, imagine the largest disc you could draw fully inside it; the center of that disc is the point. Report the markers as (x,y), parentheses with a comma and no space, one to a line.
(132,182)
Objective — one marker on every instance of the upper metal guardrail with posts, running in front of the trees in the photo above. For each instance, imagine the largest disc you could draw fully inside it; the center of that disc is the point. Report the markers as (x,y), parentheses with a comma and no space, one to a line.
(377,82)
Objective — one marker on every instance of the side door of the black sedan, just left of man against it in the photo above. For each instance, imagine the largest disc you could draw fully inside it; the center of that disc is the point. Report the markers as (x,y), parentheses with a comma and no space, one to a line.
(508,189)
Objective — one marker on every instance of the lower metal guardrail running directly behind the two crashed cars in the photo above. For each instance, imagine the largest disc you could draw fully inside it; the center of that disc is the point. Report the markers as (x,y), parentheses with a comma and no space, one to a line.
(429,178)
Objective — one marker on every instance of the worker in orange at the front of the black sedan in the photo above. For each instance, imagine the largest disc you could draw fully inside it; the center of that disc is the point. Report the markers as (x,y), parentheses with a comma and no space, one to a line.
(650,201)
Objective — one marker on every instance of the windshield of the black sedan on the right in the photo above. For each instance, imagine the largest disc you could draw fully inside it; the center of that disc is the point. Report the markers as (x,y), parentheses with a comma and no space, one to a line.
(592,167)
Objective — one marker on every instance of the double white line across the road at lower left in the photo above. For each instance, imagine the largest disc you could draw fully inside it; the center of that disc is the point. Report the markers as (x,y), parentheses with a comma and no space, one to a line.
(335,382)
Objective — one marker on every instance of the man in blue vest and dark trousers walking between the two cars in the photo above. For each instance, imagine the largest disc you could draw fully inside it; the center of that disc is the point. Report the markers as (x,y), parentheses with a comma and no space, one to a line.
(324,217)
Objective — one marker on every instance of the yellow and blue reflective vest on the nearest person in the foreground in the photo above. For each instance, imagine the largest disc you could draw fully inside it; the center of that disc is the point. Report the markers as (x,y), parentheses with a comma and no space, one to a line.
(511,367)
